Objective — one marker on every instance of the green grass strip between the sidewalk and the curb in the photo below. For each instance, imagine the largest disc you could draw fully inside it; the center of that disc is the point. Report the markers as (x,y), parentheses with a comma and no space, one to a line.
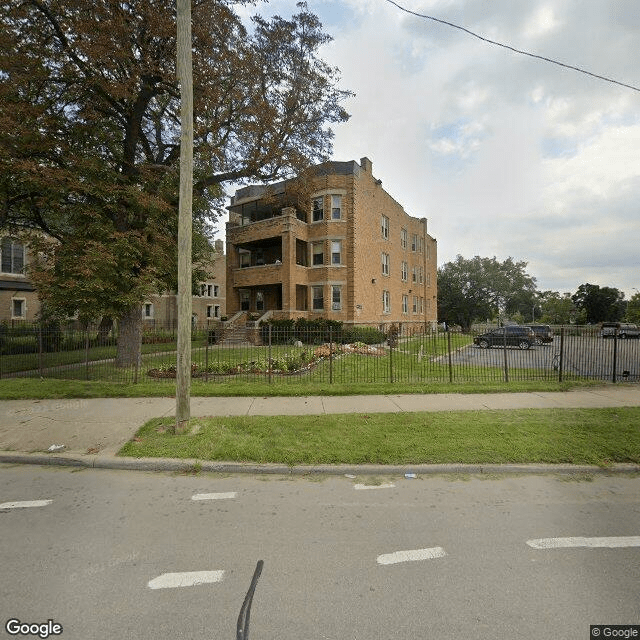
(574,436)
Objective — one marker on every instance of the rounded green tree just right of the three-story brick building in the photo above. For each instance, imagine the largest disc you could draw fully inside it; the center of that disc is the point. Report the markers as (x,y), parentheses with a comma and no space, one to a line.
(480,288)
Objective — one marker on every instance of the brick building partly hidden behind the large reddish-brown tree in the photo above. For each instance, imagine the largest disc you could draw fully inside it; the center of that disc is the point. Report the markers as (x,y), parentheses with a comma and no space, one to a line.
(19,299)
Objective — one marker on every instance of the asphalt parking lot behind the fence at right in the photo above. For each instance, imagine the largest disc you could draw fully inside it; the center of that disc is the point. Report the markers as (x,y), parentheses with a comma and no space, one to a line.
(588,356)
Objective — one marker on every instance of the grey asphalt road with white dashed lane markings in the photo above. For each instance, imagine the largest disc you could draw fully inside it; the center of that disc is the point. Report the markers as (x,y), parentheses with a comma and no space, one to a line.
(431,557)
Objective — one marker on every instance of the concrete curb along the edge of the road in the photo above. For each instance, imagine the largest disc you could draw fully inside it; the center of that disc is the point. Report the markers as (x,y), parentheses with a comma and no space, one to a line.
(182,465)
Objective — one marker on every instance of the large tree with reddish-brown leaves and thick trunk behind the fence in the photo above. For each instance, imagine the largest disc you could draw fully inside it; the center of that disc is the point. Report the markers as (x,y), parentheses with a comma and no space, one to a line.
(89,135)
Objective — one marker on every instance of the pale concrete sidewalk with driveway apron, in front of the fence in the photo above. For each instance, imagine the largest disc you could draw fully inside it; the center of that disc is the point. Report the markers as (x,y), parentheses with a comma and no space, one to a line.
(94,430)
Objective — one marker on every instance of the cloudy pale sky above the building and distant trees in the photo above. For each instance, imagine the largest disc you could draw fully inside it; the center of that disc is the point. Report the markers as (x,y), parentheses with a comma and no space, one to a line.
(504,154)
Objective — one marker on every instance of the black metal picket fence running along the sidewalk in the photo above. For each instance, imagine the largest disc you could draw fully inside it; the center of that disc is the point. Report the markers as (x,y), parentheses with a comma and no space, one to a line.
(404,353)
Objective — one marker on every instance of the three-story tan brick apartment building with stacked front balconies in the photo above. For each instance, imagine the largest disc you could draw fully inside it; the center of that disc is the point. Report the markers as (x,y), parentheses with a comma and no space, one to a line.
(345,250)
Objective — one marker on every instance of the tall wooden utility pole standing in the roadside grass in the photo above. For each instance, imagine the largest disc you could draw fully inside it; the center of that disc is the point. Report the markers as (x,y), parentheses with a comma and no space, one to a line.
(185,80)
